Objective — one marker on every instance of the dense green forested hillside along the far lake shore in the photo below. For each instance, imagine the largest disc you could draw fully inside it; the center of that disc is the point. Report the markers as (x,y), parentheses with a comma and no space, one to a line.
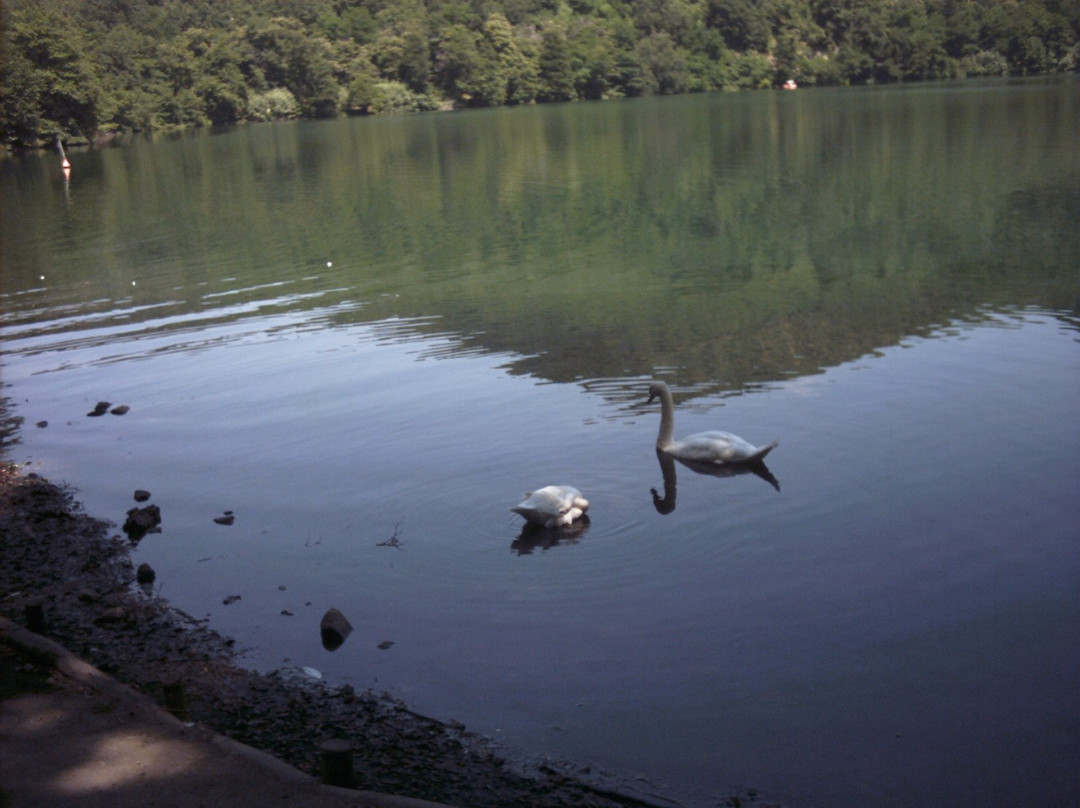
(78,69)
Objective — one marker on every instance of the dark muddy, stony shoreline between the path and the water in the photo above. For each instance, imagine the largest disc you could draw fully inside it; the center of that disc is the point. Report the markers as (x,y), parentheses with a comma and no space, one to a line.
(82,574)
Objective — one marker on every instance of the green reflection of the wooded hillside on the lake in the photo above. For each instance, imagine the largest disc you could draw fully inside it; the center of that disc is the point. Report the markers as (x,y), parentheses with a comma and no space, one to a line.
(738,239)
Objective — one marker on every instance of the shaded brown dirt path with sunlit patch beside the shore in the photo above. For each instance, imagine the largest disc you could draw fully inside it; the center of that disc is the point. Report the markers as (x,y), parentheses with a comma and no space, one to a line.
(72,736)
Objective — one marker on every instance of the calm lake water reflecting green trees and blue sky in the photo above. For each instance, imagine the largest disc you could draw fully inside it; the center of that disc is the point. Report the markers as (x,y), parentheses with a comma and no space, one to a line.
(368,339)
